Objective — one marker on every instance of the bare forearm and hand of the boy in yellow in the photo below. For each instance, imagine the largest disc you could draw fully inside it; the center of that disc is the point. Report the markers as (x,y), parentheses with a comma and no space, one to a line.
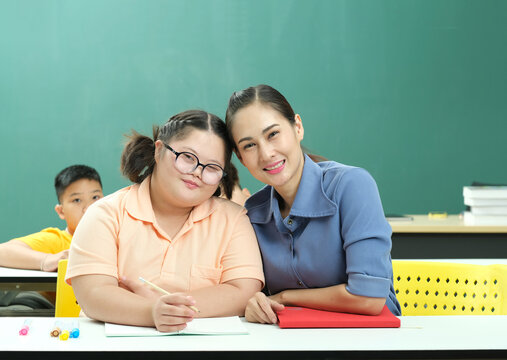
(17,254)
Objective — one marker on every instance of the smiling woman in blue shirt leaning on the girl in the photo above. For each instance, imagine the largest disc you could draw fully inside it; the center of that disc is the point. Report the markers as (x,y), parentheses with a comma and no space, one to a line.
(321,228)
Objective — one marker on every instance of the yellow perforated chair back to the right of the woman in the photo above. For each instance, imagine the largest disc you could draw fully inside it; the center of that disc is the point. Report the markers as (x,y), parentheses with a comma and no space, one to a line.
(438,288)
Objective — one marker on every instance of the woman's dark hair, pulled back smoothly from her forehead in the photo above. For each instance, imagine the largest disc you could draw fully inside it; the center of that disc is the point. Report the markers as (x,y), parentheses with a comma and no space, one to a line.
(266,95)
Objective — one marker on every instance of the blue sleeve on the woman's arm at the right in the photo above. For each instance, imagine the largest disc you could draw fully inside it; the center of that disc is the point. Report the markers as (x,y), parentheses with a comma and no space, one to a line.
(366,235)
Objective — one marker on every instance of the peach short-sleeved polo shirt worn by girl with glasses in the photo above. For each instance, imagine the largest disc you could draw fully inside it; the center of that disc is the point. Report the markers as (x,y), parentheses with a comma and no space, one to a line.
(119,236)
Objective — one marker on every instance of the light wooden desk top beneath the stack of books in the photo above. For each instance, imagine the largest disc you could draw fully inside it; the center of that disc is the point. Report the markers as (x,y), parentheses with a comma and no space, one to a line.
(451,224)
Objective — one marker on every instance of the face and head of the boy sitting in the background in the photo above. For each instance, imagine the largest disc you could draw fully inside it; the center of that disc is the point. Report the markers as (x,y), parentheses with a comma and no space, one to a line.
(76,199)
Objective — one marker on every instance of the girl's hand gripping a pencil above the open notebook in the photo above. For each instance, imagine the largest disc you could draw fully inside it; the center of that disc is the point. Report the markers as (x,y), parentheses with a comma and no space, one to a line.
(172,313)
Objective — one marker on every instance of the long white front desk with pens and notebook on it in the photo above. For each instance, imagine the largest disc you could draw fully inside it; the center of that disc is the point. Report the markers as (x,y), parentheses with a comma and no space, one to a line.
(433,336)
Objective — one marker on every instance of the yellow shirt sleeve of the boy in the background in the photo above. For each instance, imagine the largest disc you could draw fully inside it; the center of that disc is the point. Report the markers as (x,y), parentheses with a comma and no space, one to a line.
(50,240)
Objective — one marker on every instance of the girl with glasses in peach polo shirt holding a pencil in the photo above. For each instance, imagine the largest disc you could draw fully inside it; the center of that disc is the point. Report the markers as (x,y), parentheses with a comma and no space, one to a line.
(170,228)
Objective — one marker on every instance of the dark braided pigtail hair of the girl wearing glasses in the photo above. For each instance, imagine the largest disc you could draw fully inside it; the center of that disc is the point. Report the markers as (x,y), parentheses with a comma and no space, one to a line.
(138,157)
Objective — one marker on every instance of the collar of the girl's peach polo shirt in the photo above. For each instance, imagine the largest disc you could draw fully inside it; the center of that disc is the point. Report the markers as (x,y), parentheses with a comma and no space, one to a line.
(138,204)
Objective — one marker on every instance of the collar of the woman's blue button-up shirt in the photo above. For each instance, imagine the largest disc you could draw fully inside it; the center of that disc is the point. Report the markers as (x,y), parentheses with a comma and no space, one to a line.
(310,201)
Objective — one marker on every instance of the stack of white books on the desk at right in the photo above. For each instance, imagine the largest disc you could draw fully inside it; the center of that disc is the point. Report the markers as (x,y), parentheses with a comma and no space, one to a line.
(488,205)
